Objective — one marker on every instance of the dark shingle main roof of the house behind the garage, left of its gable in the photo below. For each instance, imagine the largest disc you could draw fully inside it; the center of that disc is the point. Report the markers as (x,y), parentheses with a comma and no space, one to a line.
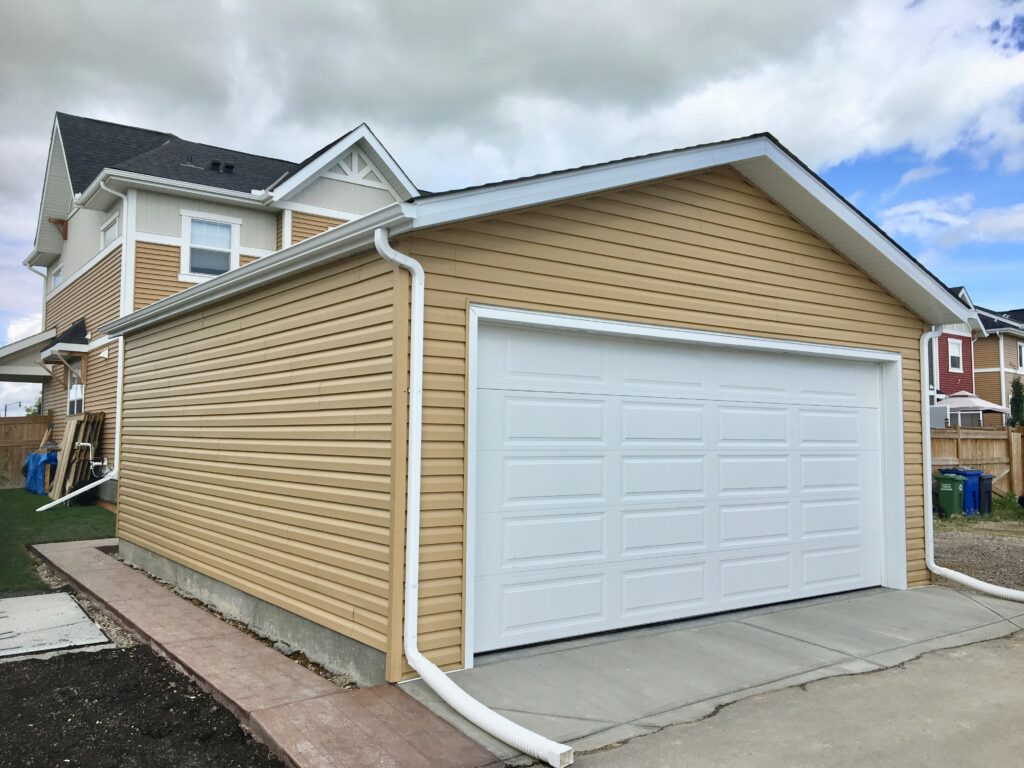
(91,146)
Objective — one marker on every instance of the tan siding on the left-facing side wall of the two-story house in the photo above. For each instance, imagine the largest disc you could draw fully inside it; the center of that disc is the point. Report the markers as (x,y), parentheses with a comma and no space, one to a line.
(95,295)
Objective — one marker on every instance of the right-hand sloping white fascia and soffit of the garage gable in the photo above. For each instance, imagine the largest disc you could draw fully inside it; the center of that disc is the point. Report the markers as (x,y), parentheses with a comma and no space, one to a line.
(825,212)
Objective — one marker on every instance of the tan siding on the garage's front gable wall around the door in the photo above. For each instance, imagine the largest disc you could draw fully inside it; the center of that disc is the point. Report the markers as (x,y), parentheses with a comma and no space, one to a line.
(707,252)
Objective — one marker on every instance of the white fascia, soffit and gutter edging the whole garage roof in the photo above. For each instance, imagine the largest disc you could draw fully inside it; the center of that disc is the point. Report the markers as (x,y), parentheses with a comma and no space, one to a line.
(761,159)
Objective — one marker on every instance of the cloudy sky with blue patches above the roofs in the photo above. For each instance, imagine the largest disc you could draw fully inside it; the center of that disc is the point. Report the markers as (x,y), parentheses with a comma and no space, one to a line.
(915,111)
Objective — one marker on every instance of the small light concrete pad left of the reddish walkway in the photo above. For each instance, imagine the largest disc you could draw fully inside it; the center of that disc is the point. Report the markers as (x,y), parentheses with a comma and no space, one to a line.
(41,623)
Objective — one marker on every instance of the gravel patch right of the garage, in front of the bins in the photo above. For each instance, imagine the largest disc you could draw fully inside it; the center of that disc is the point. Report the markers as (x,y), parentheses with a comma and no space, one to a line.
(994,553)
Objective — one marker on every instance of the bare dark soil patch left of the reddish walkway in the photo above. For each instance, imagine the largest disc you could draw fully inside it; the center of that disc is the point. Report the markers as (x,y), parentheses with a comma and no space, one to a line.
(124,708)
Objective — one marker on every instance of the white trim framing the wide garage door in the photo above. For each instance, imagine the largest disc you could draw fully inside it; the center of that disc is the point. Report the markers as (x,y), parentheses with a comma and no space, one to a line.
(891,406)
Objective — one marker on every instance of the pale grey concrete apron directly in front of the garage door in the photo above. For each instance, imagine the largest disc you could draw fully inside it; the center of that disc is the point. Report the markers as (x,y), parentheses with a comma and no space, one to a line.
(634,687)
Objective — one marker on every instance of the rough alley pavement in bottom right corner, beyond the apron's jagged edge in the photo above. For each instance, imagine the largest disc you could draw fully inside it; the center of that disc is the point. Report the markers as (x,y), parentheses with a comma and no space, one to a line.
(955,708)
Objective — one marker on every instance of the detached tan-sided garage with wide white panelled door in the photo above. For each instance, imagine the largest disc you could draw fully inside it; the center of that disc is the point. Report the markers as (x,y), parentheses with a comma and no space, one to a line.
(656,389)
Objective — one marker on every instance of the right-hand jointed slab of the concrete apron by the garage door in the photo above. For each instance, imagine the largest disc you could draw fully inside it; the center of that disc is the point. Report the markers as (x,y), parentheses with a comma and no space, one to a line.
(872,625)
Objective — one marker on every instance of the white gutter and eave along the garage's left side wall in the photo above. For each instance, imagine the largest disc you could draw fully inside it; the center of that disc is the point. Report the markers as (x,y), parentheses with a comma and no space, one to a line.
(352,238)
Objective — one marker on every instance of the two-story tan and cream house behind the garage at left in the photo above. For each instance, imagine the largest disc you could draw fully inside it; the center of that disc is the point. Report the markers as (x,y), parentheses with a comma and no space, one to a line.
(130,217)
